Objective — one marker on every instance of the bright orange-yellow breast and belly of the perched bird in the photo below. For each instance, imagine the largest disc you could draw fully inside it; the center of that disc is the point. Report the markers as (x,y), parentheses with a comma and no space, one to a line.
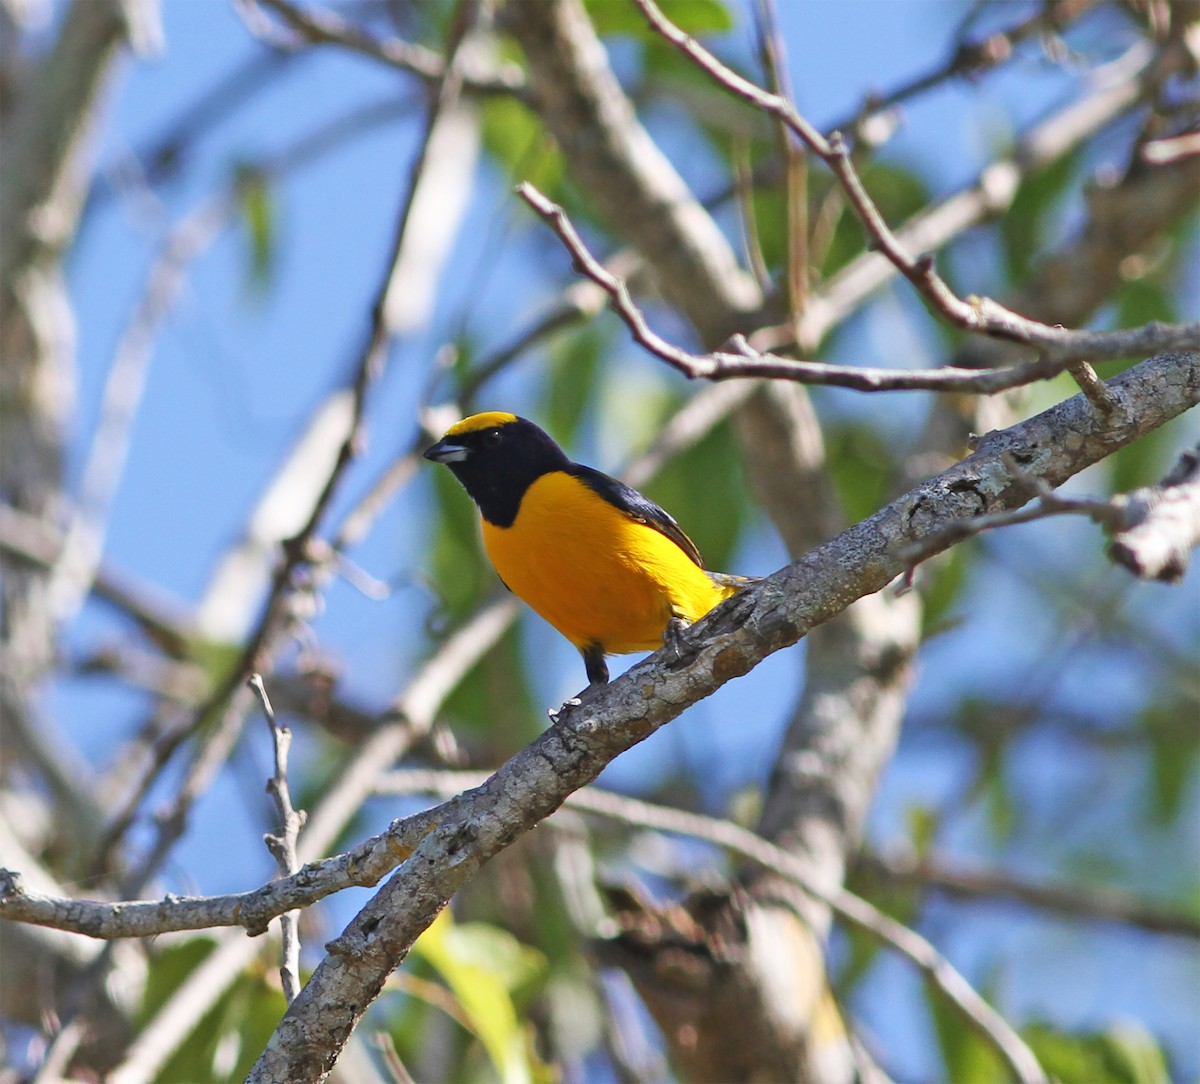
(595,574)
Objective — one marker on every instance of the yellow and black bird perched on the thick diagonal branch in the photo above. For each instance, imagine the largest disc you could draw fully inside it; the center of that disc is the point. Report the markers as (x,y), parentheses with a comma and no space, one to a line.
(605,566)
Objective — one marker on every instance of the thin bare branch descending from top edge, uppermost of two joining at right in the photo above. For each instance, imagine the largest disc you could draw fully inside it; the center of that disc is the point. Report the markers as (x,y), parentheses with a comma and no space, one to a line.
(976,315)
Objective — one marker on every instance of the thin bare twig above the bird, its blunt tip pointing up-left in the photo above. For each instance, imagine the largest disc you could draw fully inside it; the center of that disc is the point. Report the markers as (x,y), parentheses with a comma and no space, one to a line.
(749,363)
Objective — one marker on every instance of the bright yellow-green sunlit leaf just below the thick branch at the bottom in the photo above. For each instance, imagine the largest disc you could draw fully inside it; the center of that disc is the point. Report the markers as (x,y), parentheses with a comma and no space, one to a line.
(483,967)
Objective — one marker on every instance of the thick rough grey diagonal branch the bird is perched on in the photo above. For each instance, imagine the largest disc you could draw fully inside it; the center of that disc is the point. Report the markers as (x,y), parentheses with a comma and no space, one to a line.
(761,620)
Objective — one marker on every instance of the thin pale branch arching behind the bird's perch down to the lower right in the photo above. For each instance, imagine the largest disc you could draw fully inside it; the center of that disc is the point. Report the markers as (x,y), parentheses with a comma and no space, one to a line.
(746,845)
